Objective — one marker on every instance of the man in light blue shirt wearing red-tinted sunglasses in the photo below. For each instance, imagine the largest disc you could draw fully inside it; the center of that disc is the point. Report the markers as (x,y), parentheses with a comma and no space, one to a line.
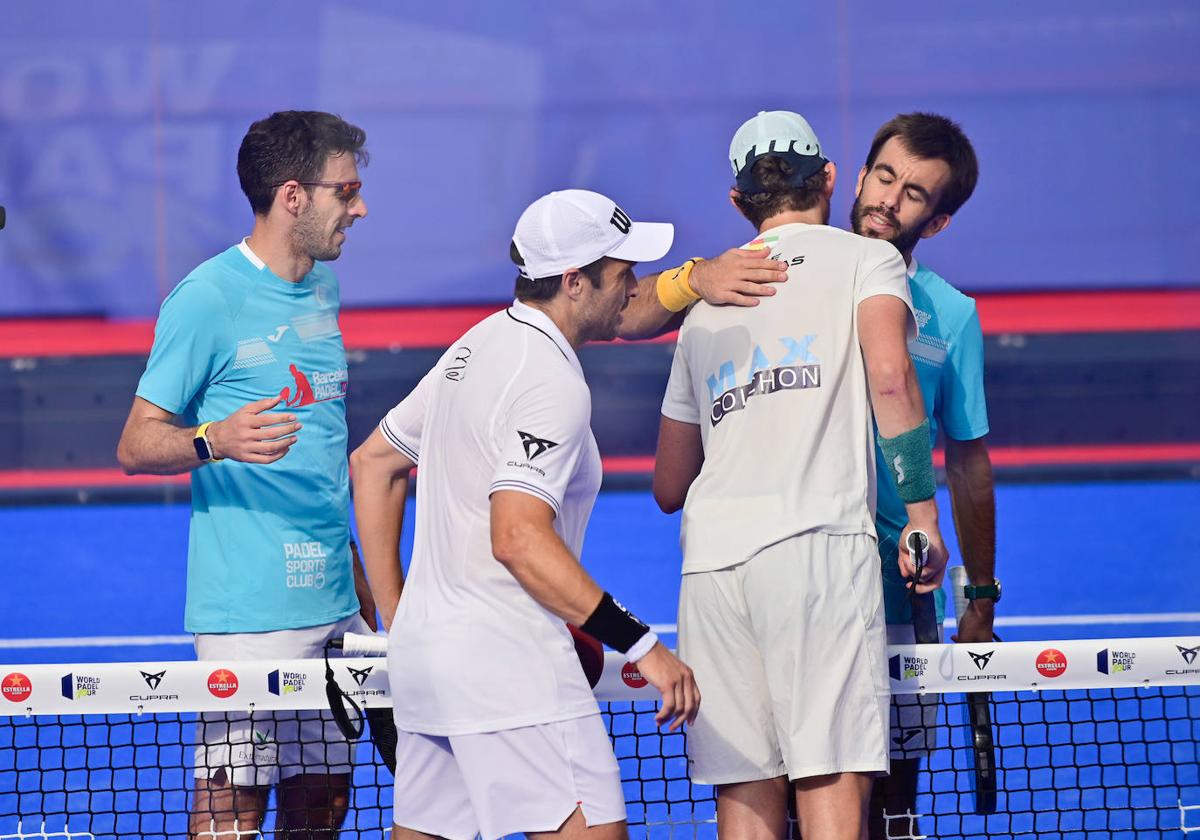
(272,573)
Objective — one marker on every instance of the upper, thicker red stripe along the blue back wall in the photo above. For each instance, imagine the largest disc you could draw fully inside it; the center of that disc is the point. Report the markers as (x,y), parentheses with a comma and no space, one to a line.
(436,328)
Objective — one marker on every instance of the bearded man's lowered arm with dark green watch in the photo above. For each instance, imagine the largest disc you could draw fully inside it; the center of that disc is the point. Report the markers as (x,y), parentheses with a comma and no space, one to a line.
(974,505)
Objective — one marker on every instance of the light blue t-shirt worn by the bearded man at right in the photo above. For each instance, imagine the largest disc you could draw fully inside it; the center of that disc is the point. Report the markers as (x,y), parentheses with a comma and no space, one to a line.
(949,357)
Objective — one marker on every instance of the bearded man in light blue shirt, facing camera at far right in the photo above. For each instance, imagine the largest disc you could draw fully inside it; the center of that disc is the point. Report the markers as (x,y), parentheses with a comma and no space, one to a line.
(920,171)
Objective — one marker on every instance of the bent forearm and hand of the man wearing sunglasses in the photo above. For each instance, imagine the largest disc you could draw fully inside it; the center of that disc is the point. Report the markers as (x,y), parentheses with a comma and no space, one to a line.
(153,442)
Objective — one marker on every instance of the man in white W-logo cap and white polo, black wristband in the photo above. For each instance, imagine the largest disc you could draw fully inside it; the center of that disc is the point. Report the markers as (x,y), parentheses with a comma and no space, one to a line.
(500,733)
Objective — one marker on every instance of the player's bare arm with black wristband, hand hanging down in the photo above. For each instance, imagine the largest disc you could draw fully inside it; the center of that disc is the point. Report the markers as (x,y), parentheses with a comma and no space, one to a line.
(525,543)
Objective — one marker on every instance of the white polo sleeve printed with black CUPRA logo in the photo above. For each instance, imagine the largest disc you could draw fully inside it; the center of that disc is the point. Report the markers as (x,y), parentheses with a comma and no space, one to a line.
(543,436)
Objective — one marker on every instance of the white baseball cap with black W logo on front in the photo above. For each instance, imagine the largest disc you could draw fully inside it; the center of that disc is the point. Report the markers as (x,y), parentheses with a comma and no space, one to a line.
(573,229)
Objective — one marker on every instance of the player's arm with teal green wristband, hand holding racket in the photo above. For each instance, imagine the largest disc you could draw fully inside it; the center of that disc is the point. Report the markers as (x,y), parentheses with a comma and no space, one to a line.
(903,425)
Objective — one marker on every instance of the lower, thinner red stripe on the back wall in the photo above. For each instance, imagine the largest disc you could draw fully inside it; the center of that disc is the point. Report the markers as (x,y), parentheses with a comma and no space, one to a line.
(1001,457)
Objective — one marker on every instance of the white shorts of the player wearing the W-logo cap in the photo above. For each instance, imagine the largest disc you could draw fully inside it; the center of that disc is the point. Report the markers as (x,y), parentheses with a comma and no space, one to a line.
(530,779)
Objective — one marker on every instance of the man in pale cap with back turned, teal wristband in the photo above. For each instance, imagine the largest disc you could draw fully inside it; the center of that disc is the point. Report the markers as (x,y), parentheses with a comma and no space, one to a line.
(767,445)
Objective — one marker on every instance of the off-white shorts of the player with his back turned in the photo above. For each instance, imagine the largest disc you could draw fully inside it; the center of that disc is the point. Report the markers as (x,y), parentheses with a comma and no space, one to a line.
(789,651)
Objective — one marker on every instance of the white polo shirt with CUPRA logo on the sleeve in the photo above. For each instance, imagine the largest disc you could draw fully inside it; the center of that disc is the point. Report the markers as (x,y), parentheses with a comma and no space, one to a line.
(506,409)
